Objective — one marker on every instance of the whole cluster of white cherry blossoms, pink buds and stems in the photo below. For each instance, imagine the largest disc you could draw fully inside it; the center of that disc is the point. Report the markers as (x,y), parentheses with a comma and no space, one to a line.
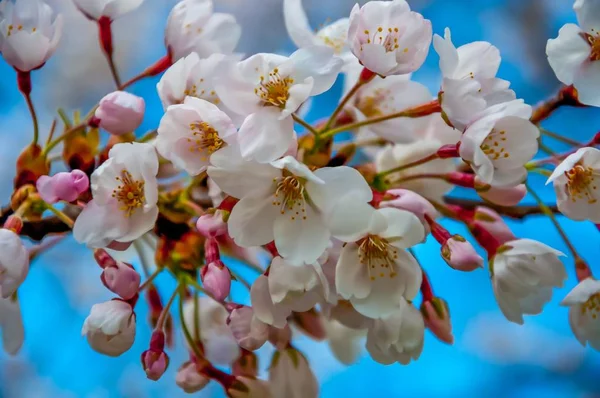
(234,171)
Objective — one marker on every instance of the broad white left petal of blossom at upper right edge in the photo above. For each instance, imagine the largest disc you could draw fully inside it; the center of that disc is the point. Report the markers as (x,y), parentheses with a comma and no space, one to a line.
(567,53)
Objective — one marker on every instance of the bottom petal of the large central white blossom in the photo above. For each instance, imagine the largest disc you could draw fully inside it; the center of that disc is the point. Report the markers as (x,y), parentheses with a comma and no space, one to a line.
(301,237)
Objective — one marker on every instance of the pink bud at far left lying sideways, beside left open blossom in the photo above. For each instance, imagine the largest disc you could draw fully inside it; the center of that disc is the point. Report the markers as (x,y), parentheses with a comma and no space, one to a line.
(62,186)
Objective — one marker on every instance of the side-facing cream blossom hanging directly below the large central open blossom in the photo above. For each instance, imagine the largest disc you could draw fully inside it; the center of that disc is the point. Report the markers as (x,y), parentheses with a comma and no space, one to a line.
(287,288)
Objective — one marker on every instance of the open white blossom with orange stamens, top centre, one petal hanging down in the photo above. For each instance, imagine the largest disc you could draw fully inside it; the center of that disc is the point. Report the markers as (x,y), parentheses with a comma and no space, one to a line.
(268,88)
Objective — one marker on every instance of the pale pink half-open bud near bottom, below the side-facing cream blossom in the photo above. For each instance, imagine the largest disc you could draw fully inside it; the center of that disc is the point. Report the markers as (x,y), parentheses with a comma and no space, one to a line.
(250,333)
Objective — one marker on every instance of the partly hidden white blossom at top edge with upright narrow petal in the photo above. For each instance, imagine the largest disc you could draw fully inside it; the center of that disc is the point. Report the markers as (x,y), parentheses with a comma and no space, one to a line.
(334,34)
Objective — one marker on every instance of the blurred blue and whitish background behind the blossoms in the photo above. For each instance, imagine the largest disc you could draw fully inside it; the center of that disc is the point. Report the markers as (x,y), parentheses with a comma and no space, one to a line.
(491,357)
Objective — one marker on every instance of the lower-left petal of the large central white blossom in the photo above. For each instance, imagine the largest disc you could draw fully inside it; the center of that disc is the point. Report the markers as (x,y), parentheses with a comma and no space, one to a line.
(251,221)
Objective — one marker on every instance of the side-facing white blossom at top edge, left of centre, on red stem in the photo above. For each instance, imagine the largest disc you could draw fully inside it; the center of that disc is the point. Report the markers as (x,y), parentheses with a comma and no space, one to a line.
(193,27)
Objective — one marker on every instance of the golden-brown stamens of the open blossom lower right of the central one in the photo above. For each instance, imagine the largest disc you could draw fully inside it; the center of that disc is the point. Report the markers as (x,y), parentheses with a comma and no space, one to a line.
(378,255)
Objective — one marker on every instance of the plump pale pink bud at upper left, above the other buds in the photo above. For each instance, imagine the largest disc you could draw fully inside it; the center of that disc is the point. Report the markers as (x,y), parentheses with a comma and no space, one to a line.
(120,112)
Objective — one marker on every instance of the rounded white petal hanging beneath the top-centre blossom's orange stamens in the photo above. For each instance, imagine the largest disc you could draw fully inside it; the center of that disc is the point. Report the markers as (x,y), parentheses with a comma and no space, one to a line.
(263,137)
